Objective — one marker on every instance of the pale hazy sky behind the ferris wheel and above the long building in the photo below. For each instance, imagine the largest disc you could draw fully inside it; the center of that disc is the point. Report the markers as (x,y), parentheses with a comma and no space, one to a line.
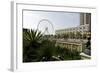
(51,21)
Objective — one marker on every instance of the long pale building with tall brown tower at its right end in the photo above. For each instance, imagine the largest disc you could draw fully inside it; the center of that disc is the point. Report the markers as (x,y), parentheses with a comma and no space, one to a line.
(85,25)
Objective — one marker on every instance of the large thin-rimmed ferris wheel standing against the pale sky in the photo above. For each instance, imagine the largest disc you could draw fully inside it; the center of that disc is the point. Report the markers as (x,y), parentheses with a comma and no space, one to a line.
(46,27)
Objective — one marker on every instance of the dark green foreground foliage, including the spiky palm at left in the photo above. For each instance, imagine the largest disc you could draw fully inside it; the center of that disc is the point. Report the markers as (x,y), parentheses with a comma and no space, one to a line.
(36,49)
